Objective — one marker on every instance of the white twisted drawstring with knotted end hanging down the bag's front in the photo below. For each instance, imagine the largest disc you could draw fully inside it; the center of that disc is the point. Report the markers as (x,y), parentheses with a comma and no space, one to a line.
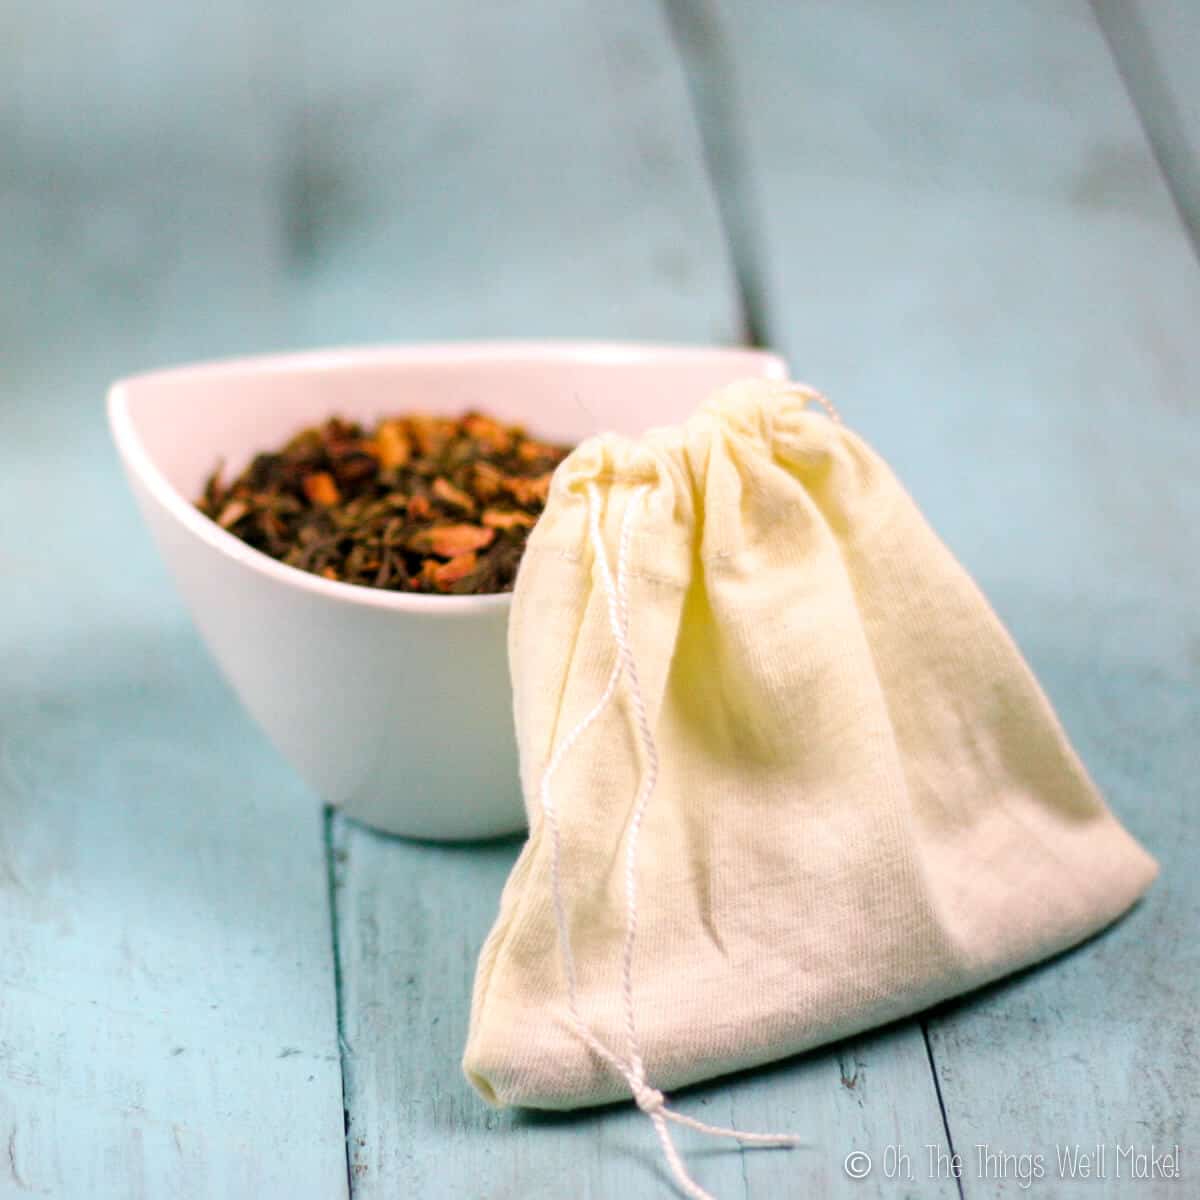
(650,1100)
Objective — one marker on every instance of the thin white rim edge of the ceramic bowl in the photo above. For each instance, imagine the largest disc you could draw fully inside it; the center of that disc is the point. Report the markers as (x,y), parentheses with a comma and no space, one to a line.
(137,459)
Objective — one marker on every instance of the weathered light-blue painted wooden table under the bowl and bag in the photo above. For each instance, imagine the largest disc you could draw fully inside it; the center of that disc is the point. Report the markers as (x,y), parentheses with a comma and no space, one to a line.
(947,217)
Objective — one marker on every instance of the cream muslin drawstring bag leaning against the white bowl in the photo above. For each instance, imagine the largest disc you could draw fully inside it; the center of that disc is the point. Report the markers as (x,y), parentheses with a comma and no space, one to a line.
(787,775)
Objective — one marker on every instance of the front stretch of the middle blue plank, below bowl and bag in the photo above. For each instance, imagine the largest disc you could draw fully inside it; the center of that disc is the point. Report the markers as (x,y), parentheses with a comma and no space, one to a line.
(411,922)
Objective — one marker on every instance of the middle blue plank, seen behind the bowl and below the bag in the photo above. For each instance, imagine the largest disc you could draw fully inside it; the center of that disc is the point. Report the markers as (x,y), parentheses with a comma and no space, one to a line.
(412,919)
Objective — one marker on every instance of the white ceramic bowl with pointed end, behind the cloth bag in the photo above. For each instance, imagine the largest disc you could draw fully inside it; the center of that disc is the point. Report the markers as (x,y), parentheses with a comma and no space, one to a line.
(395,707)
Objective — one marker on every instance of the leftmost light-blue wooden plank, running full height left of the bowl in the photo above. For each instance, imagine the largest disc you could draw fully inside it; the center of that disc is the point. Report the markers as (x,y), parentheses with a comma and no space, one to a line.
(167,1000)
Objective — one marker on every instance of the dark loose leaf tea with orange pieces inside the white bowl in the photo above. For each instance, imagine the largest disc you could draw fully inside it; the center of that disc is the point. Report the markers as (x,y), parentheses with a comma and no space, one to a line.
(417,505)
